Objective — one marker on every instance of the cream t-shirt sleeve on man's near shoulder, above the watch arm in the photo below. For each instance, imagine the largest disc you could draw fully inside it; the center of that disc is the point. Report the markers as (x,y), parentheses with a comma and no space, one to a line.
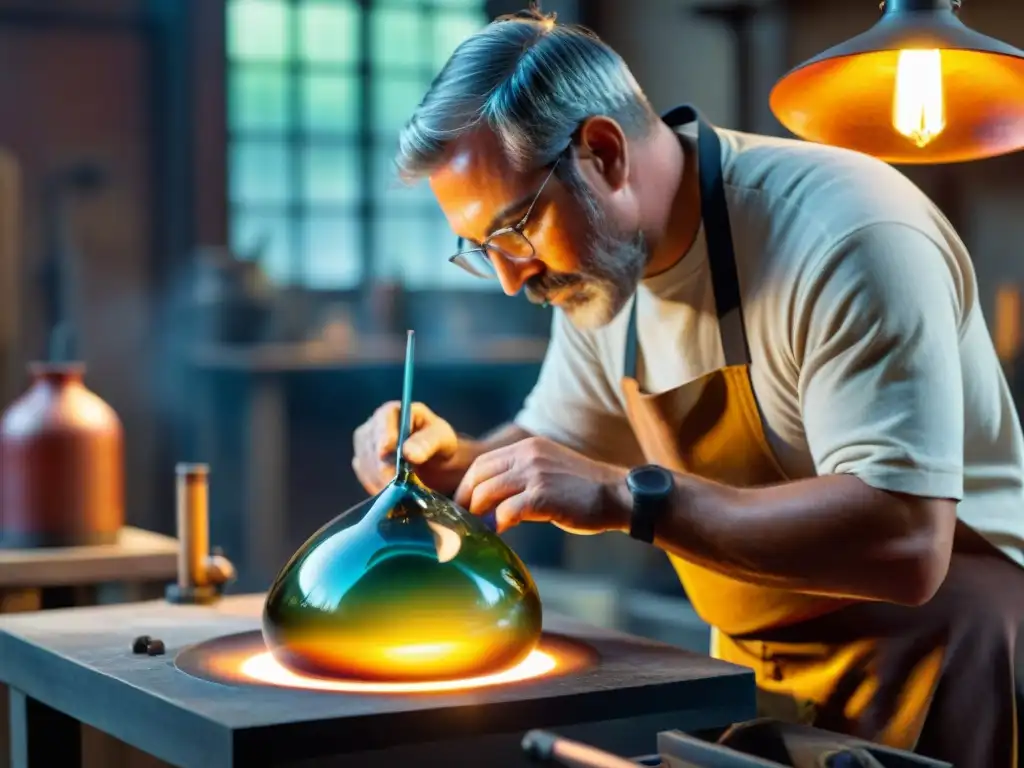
(878,347)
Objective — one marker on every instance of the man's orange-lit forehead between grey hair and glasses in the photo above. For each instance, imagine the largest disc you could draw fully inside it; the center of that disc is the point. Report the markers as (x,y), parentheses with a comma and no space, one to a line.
(476,182)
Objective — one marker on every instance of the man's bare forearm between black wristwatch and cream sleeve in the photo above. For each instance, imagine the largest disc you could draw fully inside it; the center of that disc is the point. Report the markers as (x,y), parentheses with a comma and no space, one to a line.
(833,535)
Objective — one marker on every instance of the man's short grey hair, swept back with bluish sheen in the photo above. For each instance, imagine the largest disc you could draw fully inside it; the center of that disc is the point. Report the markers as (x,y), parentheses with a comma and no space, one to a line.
(532,82)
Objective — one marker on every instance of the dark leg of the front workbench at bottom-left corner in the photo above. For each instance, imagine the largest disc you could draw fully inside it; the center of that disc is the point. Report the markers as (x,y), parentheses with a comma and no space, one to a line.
(41,737)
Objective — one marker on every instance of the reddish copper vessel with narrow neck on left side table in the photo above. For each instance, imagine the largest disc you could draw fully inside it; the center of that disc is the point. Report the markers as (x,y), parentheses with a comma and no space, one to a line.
(62,464)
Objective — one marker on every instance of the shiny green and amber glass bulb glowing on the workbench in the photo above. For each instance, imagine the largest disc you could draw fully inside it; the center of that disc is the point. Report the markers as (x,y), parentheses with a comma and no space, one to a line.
(404,587)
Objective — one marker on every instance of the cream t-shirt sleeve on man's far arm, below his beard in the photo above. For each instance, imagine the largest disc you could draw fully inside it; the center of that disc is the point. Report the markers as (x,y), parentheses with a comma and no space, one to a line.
(575,404)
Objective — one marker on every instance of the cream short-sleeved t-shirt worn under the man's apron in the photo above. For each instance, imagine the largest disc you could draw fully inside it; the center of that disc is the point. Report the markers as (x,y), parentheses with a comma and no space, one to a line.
(870,353)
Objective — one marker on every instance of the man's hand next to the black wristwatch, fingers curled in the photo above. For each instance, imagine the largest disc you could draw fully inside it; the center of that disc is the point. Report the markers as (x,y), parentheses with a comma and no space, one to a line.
(539,481)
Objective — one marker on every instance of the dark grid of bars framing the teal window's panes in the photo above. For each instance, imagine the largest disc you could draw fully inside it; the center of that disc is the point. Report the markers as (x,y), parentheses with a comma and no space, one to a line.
(367,141)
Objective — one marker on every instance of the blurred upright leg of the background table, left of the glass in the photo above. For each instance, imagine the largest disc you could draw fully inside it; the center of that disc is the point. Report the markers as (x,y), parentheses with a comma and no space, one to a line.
(267,480)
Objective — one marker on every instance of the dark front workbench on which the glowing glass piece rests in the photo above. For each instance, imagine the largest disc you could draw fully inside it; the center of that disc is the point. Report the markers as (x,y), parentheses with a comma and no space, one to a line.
(74,667)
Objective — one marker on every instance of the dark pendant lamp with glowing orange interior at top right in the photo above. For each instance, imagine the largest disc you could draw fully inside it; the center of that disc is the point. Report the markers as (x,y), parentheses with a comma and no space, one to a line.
(919,88)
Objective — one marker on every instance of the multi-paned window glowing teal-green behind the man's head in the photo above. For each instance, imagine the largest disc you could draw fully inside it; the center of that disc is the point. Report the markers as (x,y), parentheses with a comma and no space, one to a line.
(318,94)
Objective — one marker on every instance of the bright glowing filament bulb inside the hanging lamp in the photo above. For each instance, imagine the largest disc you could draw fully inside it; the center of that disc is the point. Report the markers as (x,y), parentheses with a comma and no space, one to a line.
(919,109)
